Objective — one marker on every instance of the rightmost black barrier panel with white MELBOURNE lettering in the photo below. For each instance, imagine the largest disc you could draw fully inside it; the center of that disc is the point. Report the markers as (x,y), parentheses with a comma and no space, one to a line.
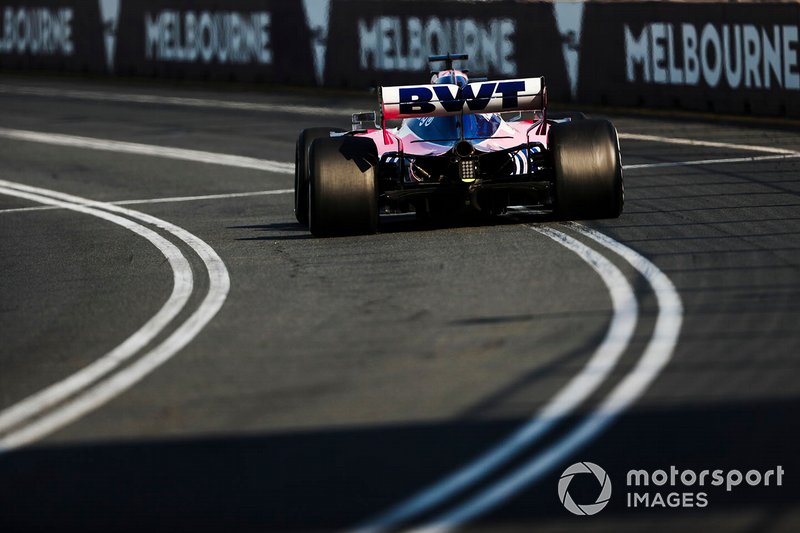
(722,57)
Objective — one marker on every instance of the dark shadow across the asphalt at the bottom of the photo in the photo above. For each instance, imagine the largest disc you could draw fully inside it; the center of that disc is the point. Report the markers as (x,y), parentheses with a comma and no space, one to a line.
(330,479)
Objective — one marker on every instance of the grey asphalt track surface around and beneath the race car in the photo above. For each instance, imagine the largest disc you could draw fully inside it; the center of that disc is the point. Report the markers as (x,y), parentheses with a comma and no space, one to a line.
(343,376)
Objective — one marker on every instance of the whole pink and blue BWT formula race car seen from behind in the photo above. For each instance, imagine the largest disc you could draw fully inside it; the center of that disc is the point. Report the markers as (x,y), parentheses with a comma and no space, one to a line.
(457,149)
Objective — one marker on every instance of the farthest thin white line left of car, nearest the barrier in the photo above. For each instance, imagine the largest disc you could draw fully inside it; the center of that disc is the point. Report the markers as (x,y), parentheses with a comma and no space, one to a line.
(150,99)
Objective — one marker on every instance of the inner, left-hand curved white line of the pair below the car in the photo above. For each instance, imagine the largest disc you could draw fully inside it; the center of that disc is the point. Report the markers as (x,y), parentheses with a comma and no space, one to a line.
(617,339)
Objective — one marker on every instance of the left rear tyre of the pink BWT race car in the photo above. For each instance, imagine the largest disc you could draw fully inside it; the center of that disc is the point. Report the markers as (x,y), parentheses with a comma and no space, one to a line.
(343,196)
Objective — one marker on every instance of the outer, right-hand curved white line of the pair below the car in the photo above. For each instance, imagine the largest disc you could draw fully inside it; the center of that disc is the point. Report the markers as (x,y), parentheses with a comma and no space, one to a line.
(654,358)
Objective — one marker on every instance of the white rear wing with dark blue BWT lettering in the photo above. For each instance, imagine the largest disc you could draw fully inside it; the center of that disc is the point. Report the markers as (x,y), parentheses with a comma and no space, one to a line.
(500,96)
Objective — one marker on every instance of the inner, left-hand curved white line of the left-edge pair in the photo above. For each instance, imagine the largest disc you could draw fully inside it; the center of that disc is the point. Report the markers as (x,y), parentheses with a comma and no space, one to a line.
(182,288)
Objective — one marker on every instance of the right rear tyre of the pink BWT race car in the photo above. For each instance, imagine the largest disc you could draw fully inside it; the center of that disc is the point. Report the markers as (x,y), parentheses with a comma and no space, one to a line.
(588,170)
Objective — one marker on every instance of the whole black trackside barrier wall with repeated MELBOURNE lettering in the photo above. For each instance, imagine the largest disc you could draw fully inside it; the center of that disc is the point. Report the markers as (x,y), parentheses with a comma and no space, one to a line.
(721,57)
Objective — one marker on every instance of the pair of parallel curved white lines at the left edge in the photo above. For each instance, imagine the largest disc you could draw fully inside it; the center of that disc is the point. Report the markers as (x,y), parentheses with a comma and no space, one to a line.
(68,400)
